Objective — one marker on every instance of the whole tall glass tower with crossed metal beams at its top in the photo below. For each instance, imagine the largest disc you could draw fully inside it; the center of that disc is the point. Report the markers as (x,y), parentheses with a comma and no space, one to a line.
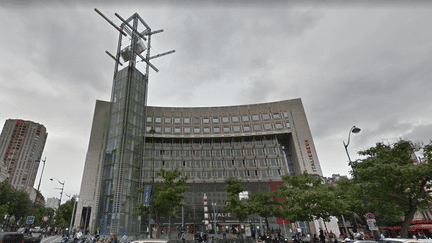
(123,155)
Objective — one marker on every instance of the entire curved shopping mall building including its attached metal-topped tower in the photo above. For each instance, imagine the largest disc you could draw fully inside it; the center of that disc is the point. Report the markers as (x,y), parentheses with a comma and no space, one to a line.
(130,142)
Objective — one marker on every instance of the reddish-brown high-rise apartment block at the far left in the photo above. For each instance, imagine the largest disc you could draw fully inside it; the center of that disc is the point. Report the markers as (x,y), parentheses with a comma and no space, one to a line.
(21,146)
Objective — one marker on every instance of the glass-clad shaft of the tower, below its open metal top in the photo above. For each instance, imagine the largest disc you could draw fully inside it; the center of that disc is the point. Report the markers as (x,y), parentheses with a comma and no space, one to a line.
(123,154)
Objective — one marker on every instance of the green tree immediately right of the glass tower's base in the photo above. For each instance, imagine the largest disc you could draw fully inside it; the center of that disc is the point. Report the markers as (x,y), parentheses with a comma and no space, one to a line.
(166,196)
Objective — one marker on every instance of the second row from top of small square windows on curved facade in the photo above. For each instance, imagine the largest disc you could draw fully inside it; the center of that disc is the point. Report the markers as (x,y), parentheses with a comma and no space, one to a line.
(225,129)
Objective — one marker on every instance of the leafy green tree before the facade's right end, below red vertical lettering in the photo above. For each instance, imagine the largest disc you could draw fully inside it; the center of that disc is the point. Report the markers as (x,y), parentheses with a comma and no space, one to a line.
(306,198)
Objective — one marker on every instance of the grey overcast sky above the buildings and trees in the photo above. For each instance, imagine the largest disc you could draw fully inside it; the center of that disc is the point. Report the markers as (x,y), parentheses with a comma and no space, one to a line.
(367,64)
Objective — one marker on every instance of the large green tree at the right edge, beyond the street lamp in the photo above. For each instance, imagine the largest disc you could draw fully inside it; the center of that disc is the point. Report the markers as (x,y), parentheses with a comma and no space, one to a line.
(393,182)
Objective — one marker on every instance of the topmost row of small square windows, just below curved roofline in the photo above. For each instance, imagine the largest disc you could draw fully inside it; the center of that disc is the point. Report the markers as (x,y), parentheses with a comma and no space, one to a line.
(216,119)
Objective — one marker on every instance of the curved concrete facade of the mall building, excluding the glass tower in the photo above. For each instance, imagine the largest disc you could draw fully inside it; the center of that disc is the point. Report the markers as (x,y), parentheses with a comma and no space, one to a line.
(257,143)
